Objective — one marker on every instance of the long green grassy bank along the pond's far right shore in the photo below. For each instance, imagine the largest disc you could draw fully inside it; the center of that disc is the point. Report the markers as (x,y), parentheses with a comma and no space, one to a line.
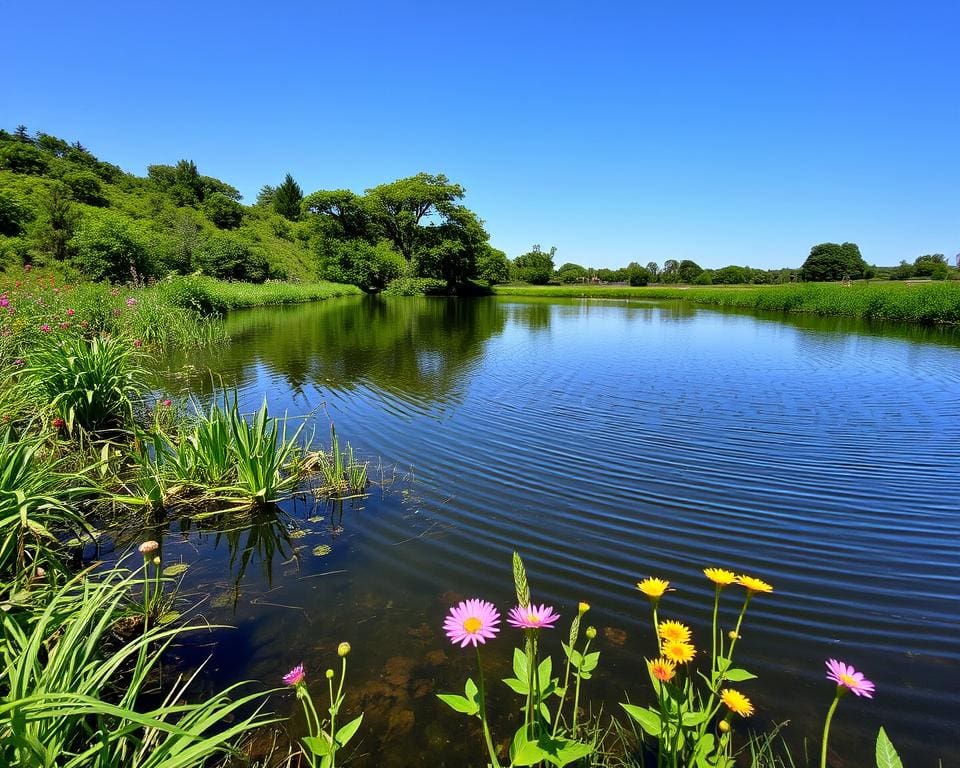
(930,303)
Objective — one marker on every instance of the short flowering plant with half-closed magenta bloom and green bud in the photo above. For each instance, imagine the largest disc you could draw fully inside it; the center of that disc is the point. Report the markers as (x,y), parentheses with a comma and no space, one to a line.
(325,739)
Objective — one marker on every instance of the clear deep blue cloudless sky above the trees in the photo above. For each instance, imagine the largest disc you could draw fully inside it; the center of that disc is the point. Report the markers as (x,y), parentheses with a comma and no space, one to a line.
(738,132)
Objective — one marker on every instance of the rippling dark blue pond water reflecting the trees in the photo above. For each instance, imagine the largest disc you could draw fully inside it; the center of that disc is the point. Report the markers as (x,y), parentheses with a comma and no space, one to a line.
(606,442)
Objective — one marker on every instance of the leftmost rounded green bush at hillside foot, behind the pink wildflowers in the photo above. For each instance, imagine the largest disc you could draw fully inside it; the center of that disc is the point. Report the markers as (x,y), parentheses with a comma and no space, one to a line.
(107,247)
